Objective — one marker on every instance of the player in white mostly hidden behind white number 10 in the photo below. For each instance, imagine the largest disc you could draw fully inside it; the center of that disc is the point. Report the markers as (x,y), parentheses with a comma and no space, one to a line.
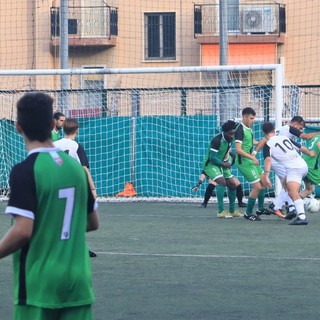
(293,131)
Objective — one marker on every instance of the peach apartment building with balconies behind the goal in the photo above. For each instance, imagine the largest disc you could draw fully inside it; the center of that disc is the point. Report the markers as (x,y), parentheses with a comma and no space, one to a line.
(140,33)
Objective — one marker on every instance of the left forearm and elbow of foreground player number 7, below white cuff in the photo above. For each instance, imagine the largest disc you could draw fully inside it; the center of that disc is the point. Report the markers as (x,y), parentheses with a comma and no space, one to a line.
(17,236)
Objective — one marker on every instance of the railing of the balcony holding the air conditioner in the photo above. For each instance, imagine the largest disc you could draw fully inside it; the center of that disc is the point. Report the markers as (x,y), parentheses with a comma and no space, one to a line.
(243,19)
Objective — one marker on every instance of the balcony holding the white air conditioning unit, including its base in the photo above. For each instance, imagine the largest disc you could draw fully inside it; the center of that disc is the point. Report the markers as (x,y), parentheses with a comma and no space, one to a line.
(247,23)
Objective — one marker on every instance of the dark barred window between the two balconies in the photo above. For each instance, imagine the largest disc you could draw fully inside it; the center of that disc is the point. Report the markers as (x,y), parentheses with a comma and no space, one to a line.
(160,36)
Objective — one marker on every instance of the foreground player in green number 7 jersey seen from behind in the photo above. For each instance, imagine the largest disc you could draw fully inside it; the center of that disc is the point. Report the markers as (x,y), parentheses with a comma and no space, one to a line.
(52,208)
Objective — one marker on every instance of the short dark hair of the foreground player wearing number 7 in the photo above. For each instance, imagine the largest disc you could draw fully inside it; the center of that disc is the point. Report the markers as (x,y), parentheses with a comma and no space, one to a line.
(34,115)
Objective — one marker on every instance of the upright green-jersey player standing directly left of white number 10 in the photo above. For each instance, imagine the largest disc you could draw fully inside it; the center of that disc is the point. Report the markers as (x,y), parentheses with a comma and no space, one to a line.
(248,164)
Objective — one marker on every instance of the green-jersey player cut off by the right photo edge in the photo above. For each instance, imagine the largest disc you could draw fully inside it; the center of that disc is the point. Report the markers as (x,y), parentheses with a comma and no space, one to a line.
(313,177)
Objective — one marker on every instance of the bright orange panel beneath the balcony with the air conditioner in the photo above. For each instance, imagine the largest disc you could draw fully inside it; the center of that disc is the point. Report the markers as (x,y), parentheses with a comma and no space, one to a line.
(240,54)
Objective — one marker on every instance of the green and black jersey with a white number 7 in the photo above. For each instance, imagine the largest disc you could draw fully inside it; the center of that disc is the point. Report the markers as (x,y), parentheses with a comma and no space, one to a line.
(53,269)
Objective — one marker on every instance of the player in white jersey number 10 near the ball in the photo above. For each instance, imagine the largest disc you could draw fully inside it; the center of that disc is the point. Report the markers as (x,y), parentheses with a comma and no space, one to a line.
(280,148)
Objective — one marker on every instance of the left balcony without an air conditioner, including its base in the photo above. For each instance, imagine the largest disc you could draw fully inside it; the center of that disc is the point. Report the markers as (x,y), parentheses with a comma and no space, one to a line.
(87,26)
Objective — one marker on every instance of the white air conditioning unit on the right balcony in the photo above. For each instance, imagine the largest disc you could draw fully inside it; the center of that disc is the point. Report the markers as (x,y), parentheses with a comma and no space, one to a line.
(259,20)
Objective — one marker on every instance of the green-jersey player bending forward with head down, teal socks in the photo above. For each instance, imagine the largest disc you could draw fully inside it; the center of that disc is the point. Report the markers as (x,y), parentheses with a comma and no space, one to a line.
(217,167)
